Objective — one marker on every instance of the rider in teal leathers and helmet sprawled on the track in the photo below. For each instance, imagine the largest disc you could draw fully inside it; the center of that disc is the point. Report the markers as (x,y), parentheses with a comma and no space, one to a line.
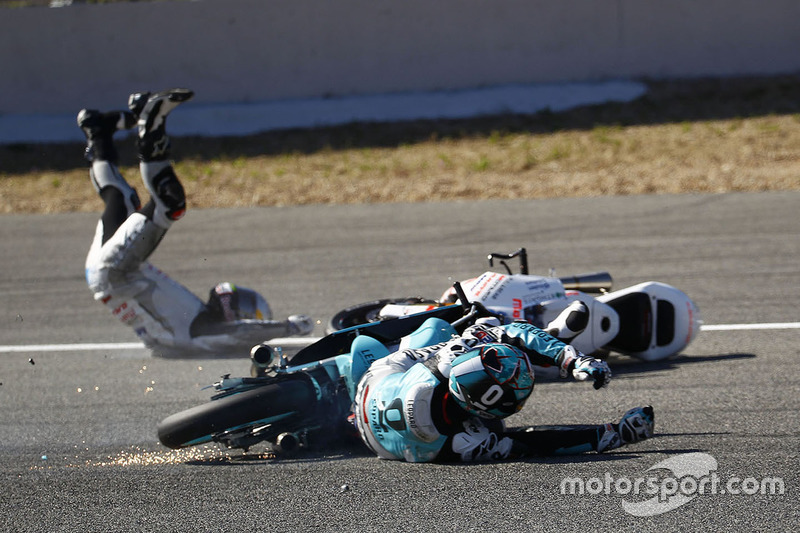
(447,402)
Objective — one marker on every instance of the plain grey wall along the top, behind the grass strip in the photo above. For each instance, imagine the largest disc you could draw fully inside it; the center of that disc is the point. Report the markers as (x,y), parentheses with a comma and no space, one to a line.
(246,51)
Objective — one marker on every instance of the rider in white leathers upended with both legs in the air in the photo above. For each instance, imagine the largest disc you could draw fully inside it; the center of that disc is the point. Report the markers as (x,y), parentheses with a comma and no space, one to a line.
(169,318)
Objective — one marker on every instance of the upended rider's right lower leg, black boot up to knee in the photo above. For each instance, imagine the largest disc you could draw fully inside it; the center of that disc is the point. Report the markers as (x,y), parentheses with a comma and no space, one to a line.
(154,148)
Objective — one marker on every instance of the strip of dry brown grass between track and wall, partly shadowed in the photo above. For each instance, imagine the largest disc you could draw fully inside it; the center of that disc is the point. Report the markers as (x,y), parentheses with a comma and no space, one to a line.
(701,136)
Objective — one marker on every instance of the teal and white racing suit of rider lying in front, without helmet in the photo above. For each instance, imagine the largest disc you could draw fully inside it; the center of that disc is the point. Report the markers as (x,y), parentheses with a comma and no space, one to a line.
(404,410)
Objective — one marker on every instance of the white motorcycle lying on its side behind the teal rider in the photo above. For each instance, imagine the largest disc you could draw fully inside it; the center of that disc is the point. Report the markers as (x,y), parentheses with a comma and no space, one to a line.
(649,321)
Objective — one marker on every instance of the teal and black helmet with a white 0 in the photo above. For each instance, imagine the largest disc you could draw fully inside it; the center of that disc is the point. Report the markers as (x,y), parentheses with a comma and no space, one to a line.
(491,381)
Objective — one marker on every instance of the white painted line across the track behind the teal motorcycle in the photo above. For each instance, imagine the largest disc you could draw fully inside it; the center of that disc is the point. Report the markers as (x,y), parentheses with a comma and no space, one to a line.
(300,342)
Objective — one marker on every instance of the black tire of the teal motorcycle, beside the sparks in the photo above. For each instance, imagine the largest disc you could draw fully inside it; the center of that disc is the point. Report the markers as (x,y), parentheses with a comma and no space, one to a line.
(199,424)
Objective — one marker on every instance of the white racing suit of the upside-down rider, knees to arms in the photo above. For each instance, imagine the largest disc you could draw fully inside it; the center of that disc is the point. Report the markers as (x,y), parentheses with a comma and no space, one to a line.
(159,309)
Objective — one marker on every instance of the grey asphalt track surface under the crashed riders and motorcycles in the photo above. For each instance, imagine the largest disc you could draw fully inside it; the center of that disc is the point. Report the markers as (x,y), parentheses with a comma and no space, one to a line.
(77,428)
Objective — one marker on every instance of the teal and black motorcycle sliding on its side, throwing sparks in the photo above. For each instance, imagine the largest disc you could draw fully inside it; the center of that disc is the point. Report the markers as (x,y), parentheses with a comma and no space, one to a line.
(299,402)
